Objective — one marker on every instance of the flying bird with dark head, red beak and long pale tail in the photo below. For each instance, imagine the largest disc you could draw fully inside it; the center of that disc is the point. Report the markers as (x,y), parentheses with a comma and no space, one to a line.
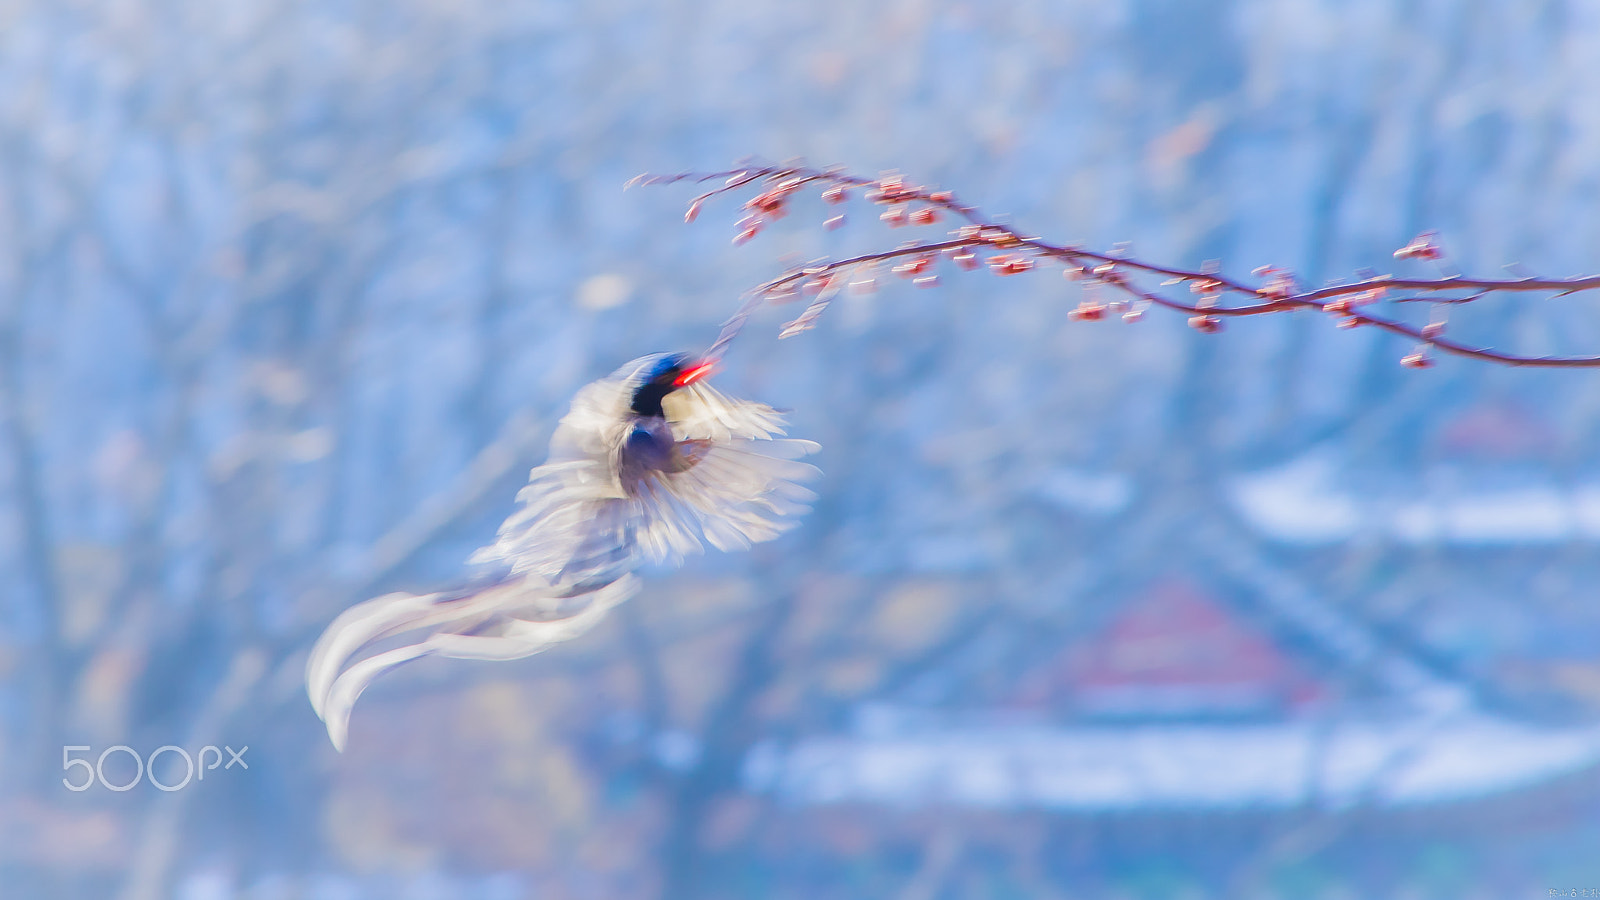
(650,465)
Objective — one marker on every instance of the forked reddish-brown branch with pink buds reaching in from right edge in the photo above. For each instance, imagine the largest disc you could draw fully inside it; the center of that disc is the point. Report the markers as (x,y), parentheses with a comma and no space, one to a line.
(1004,251)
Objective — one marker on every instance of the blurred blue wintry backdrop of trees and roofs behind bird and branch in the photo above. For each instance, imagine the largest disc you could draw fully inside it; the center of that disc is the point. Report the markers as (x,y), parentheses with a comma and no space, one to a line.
(292,295)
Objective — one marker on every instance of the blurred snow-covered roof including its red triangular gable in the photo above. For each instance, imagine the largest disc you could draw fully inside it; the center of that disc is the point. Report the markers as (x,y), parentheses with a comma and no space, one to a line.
(1185,702)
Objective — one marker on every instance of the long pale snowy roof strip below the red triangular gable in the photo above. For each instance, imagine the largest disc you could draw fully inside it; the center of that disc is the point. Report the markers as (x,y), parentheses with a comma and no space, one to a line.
(1174,768)
